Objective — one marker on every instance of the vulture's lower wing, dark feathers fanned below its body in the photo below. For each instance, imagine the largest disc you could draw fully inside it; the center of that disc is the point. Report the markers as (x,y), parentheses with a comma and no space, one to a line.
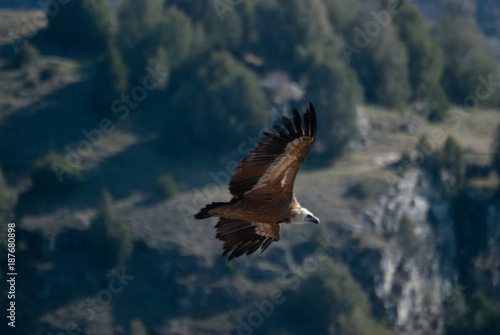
(243,237)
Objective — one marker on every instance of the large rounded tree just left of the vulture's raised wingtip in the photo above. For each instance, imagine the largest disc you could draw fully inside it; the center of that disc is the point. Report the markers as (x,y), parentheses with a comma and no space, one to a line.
(236,102)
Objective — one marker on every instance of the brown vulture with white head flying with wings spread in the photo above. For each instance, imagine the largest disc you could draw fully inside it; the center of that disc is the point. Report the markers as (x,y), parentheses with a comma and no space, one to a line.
(262,189)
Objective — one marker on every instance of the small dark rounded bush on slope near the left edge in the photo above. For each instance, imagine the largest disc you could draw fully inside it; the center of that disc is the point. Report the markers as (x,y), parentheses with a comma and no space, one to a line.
(47,182)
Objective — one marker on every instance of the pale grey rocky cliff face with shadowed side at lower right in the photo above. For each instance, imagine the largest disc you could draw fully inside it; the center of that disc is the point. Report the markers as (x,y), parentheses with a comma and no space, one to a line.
(418,262)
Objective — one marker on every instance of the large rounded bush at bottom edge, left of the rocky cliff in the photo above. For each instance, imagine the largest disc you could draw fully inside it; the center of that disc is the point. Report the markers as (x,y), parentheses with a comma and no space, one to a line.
(336,304)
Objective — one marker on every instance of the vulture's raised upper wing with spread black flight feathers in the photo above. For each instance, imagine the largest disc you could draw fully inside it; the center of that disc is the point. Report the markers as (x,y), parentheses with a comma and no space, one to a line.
(272,166)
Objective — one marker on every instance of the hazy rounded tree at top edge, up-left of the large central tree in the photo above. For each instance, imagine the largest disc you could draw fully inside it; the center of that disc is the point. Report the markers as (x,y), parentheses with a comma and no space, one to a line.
(151,34)
